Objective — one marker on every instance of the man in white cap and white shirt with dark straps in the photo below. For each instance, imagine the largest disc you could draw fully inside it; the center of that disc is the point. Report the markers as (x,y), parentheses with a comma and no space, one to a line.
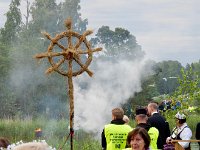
(181,131)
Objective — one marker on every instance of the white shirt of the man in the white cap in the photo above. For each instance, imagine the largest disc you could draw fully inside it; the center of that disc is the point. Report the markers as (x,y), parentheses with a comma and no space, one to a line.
(186,134)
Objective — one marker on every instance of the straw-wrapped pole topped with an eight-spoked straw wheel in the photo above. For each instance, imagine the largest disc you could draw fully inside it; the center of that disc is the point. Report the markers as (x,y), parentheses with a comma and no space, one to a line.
(70,53)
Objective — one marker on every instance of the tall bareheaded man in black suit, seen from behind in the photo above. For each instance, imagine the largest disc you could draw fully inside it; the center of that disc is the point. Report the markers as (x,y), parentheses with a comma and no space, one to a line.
(158,121)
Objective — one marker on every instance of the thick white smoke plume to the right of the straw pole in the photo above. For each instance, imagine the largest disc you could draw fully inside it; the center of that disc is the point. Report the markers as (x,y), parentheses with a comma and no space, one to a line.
(112,84)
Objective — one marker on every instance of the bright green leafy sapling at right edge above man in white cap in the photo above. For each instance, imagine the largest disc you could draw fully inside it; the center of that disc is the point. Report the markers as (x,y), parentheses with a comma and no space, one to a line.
(187,95)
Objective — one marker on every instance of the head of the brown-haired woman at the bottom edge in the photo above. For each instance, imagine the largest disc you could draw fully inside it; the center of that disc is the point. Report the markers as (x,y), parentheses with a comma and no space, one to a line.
(138,139)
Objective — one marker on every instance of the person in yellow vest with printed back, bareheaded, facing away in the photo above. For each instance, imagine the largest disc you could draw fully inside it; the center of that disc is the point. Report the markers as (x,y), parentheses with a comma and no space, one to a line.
(114,135)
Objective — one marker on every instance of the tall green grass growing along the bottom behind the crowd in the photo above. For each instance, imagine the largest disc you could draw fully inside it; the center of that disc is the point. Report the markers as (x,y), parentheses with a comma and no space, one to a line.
(56,131)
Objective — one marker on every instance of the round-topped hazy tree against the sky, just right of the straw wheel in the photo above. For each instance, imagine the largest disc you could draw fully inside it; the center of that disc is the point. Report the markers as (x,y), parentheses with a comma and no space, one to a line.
(118,43)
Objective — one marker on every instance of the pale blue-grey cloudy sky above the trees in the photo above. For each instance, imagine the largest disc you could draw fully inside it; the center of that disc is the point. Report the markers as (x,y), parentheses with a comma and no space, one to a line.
(166,29)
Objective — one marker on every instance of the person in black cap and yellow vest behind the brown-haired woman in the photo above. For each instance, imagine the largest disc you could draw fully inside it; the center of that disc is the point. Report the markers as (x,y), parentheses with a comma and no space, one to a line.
(141,119)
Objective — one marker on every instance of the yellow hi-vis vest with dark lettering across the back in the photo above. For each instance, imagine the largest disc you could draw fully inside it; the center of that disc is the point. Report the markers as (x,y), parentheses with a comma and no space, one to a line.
(116,136)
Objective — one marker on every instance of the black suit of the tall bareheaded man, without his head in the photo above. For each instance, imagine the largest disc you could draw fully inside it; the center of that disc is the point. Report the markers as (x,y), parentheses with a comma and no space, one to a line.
(159,122)
